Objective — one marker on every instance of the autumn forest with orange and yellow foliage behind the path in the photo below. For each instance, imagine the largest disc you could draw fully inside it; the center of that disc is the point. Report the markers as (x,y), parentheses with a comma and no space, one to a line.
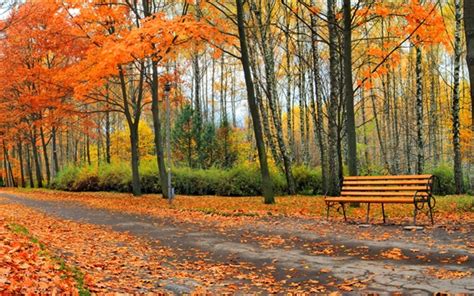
(266,97)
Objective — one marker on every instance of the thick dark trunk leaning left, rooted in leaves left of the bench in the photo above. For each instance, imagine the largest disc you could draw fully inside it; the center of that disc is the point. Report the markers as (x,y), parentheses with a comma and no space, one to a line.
(267,186)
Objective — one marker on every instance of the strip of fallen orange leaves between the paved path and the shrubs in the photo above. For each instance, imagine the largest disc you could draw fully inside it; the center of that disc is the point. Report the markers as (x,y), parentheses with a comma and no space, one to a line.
(448,209)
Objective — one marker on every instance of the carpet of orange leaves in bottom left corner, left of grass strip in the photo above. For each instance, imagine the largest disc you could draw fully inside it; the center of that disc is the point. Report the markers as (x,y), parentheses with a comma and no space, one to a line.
(25,269)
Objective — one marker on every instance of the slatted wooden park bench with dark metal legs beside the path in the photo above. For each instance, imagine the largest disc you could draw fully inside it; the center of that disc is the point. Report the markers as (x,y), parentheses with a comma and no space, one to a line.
(402,189)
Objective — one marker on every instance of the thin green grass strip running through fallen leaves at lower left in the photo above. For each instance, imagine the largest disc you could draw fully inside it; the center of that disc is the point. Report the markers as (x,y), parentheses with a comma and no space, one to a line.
(76,273)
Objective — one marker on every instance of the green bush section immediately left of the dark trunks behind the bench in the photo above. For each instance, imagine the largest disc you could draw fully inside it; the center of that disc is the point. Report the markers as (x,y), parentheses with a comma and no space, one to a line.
(308,181)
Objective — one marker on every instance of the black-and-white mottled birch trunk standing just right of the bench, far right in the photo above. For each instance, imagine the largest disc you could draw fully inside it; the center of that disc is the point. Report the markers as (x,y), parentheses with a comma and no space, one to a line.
(458,179)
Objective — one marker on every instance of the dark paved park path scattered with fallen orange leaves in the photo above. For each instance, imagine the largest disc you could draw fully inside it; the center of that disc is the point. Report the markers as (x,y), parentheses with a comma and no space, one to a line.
(336,257)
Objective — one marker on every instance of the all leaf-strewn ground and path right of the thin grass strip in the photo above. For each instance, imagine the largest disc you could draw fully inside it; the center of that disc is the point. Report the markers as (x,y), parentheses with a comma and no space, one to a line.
(139,245)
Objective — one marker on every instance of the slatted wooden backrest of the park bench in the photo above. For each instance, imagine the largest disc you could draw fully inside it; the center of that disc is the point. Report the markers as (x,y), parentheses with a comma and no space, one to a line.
(388,186)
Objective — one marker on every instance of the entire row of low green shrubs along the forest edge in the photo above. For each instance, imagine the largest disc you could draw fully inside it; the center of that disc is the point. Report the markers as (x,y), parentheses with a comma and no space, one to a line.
(238,181)
